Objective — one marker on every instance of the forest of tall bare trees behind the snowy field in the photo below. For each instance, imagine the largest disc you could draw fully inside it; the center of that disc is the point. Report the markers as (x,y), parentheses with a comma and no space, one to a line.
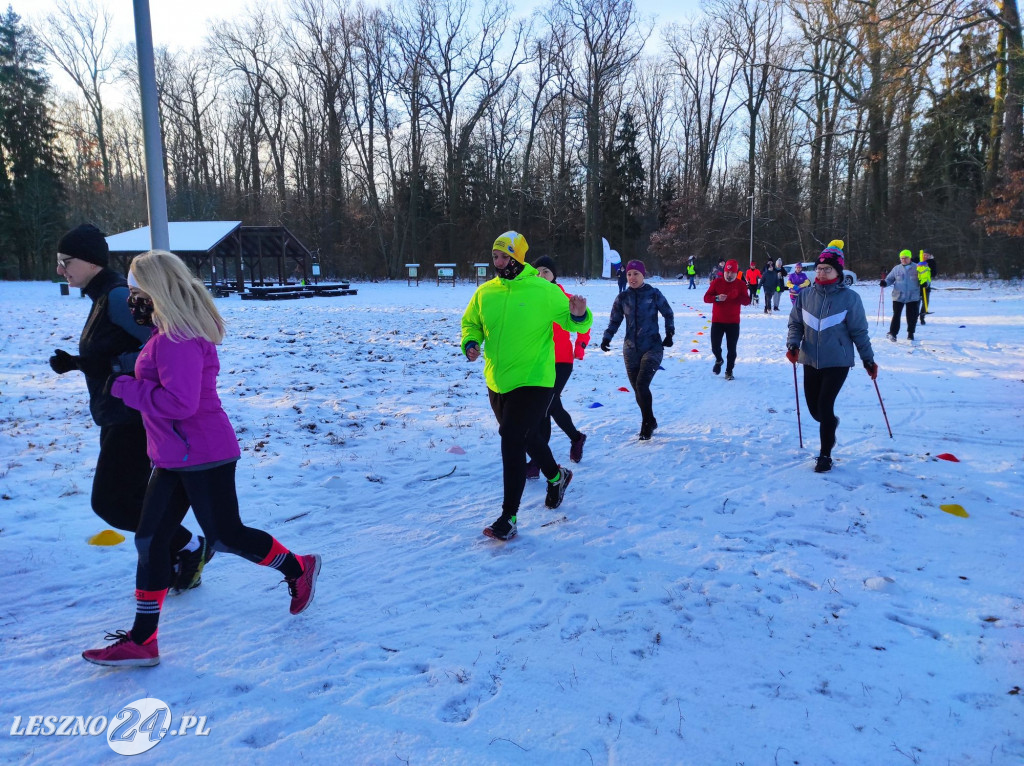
(419,131)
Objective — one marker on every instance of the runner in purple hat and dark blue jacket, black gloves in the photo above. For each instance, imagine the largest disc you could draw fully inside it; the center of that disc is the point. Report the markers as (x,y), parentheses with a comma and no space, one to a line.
(644,347)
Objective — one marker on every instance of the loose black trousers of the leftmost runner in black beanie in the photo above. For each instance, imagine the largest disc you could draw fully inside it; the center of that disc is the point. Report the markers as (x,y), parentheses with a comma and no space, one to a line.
(122,477)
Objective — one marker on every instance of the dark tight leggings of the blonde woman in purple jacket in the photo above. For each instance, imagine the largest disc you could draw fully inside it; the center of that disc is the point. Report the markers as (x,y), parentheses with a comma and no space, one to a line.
(211,495)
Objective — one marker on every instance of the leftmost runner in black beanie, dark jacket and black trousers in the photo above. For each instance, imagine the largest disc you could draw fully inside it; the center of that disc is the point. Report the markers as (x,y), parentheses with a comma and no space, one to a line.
(110,344)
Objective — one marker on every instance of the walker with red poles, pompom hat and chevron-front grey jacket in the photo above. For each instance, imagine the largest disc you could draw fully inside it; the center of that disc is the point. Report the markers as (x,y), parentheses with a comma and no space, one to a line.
(827,322)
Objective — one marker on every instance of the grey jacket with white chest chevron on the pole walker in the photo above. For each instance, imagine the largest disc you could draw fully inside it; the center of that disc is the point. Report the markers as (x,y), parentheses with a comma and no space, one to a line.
(827,322)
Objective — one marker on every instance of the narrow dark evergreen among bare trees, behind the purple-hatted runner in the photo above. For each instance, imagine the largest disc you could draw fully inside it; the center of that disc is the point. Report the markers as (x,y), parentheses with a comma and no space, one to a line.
(623,190)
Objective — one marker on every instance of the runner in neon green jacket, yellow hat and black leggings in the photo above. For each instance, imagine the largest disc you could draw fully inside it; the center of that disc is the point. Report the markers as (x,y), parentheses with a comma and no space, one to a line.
(510,318)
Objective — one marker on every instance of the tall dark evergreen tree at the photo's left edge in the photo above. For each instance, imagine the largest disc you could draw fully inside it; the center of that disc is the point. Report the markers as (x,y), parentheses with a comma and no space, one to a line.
(32,200)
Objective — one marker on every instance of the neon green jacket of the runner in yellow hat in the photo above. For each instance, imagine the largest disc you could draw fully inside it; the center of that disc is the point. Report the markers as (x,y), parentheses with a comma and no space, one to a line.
(510,320)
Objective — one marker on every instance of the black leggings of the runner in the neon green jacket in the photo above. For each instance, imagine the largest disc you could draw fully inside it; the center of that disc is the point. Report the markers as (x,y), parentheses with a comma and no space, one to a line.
(521,414)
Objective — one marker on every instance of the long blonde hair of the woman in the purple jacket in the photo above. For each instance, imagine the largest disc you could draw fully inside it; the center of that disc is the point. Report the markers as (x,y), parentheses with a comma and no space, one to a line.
(182,307)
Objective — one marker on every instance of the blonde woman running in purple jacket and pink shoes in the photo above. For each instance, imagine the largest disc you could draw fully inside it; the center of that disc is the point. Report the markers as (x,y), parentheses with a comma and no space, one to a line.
(194,451)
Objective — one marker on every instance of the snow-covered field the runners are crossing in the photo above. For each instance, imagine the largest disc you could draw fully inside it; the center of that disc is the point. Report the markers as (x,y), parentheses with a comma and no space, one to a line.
(700,599)
